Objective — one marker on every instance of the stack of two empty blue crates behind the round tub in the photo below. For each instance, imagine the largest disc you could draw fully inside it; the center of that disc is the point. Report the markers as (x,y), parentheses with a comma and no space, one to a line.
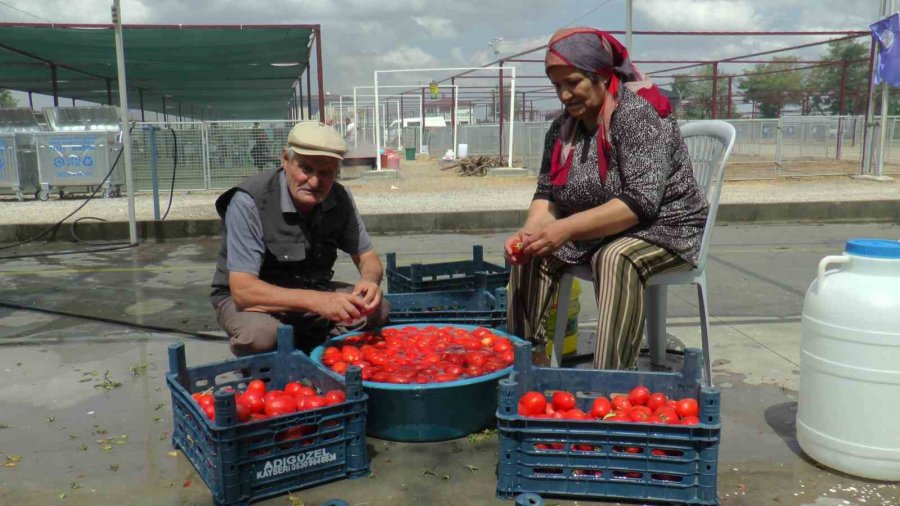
(465,292)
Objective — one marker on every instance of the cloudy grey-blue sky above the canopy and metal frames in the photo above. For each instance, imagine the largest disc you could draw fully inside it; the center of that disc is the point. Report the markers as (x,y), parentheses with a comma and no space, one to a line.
(361,36)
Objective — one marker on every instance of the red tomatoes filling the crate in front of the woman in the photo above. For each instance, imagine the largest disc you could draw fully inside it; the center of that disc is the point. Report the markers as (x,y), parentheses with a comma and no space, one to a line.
(639,405)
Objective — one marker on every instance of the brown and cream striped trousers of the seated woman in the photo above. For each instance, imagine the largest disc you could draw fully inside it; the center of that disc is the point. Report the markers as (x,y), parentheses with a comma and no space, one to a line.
(621,269)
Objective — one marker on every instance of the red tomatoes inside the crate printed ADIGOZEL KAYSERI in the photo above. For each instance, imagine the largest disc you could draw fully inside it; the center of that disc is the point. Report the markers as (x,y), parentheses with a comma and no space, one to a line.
(256,402)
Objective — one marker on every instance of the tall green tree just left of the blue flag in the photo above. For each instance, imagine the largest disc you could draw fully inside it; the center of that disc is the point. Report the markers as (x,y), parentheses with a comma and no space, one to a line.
(825,82)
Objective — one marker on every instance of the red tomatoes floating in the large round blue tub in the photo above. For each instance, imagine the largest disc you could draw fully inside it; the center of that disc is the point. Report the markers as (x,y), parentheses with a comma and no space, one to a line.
(421,354)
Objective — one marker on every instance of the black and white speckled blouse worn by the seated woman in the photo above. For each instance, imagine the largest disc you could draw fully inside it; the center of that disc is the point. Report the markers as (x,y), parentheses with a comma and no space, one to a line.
(649,170)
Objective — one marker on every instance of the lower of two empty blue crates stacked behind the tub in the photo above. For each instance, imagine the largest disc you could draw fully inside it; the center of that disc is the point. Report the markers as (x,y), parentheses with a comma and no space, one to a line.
(474,306)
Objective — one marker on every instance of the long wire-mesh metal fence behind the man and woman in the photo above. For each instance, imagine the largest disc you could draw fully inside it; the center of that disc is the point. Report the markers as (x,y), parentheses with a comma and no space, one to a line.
(217,155)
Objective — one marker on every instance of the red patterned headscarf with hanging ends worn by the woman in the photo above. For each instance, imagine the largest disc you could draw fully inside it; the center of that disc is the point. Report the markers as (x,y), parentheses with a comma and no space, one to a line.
(595,52)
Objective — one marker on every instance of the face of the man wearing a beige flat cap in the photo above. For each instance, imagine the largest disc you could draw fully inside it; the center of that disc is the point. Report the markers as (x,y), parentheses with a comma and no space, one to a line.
(309,178)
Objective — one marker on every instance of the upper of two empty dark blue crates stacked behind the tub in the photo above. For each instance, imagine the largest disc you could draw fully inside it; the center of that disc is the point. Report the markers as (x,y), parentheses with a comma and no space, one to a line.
(446,275)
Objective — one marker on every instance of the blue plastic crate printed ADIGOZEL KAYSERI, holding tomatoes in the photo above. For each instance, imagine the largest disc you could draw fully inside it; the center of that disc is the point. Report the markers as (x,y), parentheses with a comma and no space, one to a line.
(244,462)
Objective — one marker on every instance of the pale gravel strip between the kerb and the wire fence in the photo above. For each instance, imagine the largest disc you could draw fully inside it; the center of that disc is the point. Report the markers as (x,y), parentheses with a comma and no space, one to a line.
(423,187)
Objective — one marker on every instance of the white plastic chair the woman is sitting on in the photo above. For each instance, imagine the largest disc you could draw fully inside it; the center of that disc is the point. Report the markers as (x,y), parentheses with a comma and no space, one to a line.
(709,145)
